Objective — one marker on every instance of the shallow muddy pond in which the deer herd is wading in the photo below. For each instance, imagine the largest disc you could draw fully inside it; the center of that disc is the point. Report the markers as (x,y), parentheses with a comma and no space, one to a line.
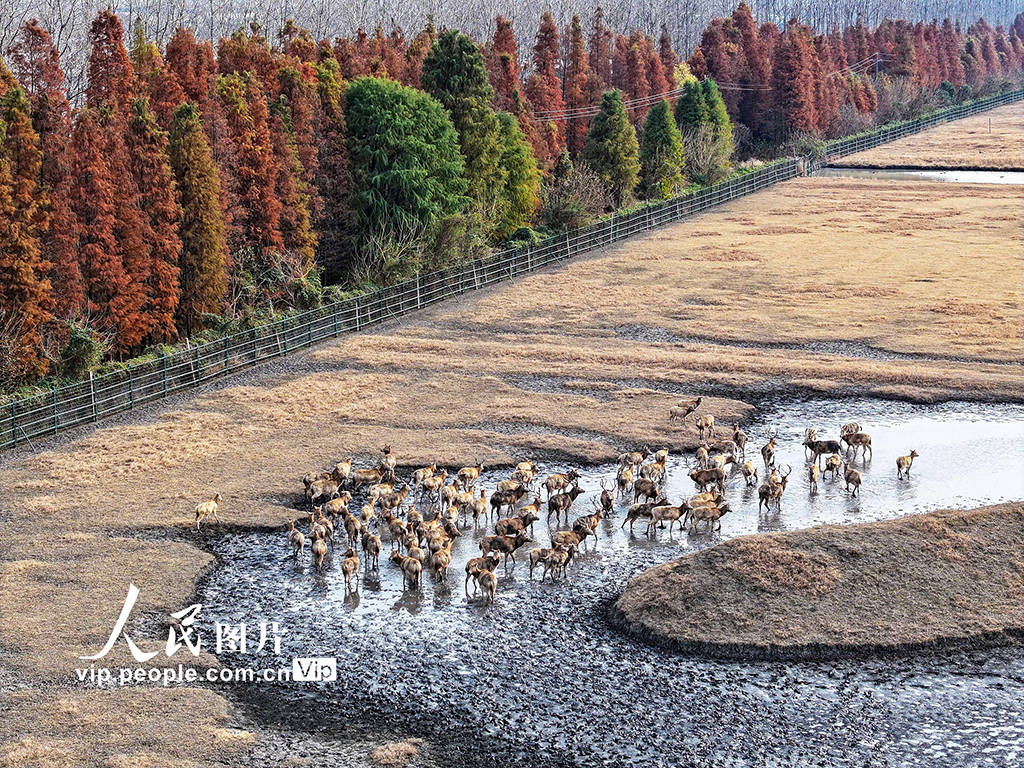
(541,678)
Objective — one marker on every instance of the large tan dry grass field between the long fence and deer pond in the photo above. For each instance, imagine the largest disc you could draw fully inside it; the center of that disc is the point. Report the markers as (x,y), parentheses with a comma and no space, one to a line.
(833,285)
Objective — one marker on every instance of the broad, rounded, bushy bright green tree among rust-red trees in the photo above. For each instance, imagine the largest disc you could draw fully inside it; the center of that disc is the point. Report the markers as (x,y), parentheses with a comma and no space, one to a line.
(407,172)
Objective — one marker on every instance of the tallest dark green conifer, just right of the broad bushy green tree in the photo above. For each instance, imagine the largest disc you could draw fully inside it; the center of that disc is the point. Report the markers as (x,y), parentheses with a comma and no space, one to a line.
(454,73)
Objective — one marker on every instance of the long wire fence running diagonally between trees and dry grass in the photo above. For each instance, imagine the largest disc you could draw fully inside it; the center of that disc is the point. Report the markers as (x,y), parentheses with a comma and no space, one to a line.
(90,401)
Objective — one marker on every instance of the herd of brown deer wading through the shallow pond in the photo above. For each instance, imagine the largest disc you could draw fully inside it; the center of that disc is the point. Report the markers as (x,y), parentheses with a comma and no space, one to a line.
(423,538)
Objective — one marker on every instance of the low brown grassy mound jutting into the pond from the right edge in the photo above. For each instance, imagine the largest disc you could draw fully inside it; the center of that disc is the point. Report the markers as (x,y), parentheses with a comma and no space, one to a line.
(945,579)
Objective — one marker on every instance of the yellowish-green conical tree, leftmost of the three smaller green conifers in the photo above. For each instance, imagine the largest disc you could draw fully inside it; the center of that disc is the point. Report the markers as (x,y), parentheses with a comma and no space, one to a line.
(612,149)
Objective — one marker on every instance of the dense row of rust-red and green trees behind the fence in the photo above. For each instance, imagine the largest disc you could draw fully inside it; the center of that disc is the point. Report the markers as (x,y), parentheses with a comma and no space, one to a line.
(203,188)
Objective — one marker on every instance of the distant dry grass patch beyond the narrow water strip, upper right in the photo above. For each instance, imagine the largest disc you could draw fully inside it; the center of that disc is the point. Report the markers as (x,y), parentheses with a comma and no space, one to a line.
(992,141)
